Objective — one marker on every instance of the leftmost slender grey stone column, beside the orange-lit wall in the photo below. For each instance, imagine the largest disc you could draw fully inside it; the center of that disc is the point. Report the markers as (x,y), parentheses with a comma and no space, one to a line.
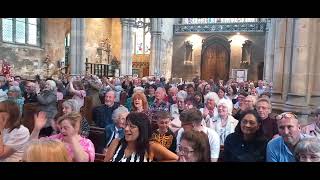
(77,56)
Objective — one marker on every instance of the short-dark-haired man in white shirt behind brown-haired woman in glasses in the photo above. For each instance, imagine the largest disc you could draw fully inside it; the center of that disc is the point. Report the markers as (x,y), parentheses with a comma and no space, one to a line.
(191,120)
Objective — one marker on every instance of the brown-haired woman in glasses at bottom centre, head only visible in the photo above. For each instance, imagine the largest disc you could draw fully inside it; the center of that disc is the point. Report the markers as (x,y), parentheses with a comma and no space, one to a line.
(194,147)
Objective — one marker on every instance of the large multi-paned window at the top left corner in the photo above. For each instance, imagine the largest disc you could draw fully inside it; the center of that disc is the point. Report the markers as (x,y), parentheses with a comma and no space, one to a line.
(24,31)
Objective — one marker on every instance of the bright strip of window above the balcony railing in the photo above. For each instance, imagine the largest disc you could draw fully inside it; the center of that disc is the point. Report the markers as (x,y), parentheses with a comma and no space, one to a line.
(217,20)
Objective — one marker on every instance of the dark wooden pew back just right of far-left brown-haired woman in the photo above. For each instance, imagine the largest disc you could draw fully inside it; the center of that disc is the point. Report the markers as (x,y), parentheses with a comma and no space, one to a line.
(29,110)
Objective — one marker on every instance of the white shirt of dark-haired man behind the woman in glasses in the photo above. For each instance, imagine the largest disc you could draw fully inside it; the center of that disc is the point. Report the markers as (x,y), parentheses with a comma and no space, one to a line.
(214,141)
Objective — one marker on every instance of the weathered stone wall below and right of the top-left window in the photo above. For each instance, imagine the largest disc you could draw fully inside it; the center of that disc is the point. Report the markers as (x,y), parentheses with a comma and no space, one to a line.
(27,60)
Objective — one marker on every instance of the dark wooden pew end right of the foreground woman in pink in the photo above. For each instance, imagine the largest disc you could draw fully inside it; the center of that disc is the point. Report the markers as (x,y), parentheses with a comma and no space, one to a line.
(98,138)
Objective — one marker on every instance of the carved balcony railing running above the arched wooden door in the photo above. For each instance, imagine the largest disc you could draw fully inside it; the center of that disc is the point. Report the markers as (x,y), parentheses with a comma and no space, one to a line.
(220,27)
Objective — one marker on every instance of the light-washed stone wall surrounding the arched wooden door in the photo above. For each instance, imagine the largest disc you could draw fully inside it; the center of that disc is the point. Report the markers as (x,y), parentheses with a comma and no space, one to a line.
(189,71)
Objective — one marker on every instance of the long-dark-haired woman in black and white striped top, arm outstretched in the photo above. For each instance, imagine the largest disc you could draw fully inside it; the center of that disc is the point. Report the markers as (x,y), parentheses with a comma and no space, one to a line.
(136,146)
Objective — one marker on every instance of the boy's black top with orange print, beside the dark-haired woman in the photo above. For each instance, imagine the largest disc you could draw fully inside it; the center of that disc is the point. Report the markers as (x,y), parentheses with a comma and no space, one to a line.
(167,140)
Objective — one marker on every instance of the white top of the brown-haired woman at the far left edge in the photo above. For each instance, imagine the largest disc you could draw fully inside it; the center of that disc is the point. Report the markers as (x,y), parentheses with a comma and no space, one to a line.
(16,139)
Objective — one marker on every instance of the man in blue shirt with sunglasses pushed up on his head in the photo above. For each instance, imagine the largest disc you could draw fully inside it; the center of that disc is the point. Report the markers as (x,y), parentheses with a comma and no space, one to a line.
(281,149)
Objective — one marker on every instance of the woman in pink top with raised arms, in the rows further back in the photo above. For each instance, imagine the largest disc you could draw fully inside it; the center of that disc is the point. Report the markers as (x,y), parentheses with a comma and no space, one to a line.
(76,88)
